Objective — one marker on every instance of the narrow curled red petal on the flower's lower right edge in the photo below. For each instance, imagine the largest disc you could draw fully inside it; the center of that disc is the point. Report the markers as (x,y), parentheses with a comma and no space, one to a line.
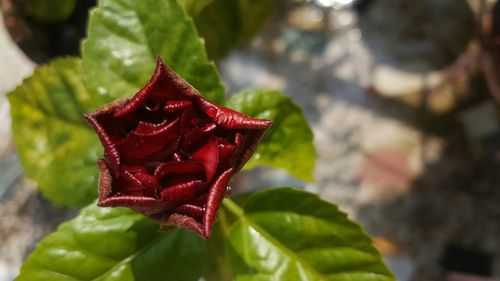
(215,196)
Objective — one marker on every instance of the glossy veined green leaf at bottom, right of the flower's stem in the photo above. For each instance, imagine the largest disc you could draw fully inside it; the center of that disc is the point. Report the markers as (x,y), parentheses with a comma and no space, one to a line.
(288,234)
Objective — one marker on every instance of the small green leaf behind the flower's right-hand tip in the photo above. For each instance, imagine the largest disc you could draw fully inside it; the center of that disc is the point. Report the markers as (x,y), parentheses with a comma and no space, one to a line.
(288,144)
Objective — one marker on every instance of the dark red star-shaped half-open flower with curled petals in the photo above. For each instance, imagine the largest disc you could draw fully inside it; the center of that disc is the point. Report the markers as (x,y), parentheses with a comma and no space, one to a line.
(169,153)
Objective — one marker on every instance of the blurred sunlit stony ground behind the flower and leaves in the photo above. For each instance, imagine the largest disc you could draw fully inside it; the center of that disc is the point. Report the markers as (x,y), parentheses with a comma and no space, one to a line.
(403,99)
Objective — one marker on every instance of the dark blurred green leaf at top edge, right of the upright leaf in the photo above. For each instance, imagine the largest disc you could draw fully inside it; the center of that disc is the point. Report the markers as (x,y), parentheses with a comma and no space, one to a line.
(226,23)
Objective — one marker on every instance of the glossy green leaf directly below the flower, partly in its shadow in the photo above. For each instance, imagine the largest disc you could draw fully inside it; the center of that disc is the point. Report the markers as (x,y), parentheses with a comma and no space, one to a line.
(114,244)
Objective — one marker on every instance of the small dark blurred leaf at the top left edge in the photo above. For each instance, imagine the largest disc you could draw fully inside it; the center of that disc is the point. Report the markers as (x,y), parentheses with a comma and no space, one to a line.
(50,11)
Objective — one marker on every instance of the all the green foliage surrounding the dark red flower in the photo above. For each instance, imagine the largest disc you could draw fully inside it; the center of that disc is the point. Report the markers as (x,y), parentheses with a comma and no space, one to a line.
(281,234)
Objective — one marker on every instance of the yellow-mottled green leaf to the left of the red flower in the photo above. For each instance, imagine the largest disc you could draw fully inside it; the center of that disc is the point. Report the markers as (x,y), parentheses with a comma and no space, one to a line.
(57,147)
